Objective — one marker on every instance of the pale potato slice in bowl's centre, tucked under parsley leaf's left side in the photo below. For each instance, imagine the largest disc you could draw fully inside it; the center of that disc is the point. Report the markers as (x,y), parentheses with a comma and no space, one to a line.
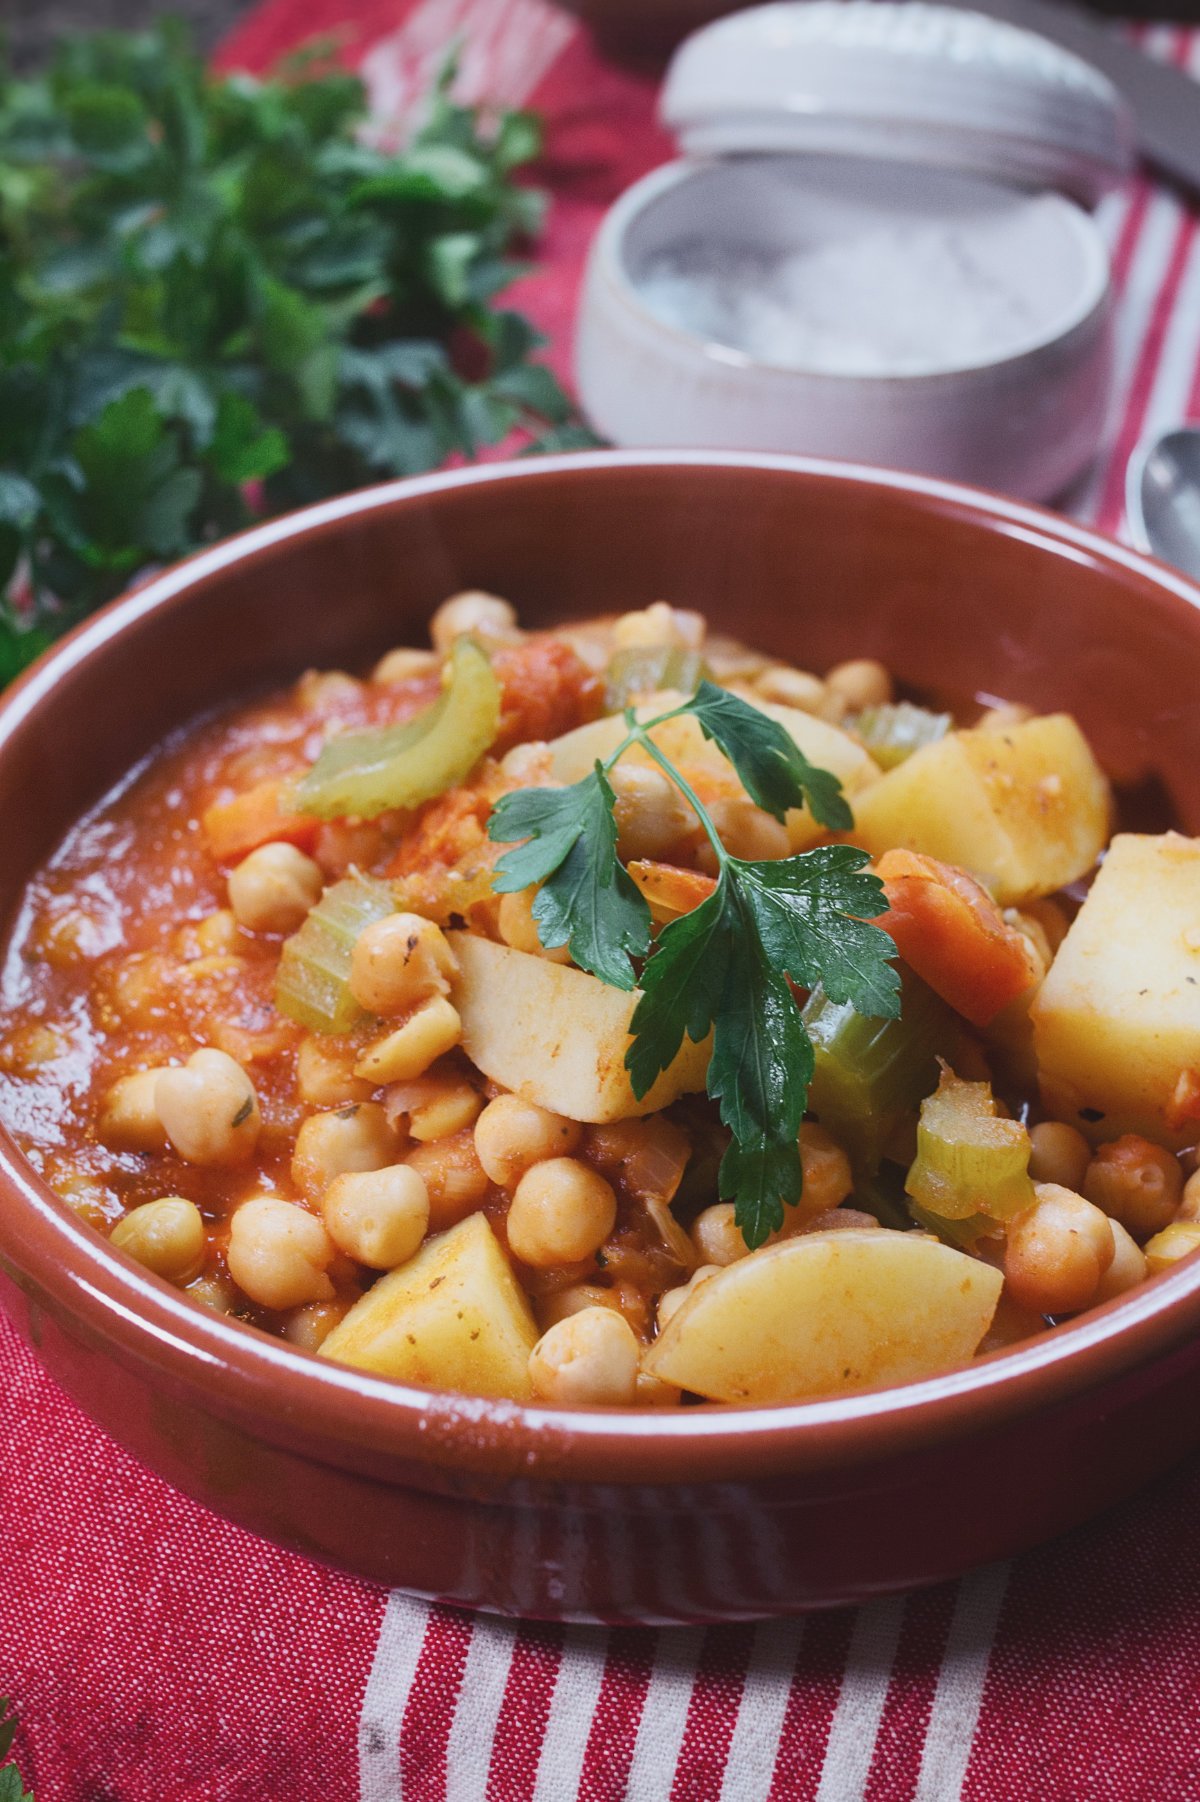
(558,1035)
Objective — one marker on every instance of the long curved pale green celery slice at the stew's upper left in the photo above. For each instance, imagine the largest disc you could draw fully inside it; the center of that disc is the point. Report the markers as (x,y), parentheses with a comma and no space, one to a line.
(365,774)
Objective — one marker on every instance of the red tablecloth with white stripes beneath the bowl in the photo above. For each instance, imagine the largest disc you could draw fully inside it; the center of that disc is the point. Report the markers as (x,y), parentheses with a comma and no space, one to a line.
(165,1657)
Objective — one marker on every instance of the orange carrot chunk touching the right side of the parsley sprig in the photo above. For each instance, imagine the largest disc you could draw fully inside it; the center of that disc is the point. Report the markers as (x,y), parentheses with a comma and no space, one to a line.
(954,936)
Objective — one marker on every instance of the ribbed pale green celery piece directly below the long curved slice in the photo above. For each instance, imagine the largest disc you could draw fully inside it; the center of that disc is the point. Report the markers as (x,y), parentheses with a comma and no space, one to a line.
(313,983)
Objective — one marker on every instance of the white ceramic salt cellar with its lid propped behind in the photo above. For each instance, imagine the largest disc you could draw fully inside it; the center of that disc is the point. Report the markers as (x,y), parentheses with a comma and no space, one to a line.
(878,246)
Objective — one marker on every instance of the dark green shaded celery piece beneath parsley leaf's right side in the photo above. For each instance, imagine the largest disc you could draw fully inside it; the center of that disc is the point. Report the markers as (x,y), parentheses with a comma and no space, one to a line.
(871,1073)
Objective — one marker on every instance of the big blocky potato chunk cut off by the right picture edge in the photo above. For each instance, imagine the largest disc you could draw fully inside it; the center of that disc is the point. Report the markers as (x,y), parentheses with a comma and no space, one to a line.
(1118,1017)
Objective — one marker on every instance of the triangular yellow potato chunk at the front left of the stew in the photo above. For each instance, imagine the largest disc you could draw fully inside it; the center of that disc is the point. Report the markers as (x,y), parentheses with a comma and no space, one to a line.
(453,1318)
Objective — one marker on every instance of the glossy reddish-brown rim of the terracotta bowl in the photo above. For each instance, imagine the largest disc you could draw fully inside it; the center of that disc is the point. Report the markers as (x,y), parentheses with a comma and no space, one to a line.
(406,1432)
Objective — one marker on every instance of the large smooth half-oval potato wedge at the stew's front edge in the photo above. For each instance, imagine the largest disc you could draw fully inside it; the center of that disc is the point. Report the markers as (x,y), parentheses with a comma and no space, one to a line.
(824,1315)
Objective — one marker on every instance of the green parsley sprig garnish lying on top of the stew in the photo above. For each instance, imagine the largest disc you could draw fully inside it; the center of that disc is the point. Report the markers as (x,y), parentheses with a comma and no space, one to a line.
(725,967)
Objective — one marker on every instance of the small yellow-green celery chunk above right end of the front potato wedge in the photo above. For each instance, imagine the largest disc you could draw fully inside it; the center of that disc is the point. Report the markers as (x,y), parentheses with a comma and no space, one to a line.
(970,1160)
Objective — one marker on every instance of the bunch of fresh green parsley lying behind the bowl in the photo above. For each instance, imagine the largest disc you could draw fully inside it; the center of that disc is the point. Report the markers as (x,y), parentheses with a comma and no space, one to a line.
(219,300)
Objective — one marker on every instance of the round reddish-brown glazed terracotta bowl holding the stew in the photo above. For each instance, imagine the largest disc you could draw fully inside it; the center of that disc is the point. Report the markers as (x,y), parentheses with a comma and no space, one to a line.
(704,1513)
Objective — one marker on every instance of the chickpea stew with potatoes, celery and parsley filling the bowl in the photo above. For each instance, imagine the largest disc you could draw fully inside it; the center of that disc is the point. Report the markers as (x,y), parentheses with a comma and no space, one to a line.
(327,1019)
